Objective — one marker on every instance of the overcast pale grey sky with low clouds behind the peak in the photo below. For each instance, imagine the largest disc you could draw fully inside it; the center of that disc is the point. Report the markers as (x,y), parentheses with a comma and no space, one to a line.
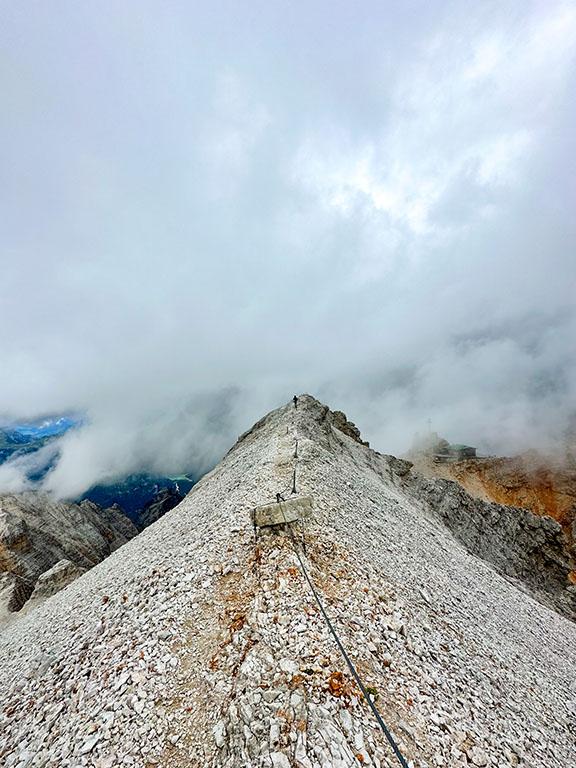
(206,207)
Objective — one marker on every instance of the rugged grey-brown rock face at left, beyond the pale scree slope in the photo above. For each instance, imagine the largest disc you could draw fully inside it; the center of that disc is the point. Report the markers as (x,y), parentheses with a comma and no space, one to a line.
(37,531)
